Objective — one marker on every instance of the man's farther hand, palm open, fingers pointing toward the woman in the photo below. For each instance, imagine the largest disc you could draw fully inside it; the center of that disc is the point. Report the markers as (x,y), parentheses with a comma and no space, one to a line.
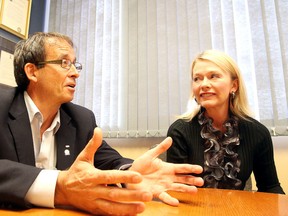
(159,176)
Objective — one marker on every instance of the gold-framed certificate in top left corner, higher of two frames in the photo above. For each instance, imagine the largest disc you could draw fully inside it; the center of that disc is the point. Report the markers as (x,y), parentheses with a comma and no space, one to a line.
(15,16)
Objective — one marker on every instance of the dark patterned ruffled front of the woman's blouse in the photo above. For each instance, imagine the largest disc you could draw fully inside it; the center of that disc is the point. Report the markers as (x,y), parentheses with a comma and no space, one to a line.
(221,161)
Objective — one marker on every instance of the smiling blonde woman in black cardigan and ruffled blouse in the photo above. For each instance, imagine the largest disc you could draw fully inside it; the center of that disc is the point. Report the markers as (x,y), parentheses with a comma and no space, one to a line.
(219,133)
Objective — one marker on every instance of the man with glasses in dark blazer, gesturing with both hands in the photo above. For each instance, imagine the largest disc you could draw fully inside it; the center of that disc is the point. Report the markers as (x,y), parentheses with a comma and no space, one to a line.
(42,132)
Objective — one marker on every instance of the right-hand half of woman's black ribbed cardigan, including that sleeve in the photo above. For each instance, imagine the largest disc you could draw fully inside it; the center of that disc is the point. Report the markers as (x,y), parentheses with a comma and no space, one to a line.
(256,139)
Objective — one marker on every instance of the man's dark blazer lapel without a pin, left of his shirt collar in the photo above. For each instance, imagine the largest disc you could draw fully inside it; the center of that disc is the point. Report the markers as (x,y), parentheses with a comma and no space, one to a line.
(21,131)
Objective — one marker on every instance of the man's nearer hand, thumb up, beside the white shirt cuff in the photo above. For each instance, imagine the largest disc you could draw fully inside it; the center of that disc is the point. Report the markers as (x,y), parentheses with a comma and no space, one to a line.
(85,187)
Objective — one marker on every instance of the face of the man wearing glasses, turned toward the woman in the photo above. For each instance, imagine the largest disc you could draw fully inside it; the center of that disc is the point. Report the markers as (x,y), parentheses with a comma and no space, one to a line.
(54,82)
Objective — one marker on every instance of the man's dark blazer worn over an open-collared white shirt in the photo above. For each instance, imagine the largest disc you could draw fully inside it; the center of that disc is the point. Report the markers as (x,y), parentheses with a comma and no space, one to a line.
(17,159)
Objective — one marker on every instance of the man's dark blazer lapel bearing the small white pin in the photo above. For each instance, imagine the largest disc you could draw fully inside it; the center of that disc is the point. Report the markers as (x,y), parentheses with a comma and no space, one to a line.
(65,140)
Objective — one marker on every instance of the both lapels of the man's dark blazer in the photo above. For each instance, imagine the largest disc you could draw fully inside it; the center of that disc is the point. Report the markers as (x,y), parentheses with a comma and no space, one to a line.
(21,131)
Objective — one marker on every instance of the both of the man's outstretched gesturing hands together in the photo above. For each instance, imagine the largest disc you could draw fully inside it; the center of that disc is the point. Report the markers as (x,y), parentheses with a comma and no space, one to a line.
(87,188)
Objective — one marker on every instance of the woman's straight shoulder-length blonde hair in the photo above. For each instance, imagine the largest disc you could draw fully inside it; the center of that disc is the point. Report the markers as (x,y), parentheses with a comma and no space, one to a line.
(239,104)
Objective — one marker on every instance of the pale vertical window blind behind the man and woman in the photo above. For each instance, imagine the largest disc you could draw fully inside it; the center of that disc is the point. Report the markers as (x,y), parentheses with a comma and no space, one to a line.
(136,56)
